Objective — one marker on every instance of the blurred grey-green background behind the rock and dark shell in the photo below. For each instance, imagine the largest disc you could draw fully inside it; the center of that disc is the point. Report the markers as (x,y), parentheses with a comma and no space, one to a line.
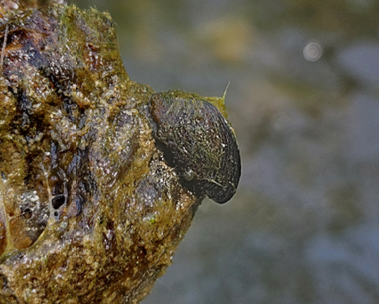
(304,102)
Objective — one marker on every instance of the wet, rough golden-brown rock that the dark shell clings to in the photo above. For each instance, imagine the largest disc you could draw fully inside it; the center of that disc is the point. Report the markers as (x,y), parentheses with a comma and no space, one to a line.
(92,202)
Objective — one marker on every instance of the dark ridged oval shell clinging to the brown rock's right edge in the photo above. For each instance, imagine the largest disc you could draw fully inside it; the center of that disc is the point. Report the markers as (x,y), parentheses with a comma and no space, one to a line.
(200,140)
